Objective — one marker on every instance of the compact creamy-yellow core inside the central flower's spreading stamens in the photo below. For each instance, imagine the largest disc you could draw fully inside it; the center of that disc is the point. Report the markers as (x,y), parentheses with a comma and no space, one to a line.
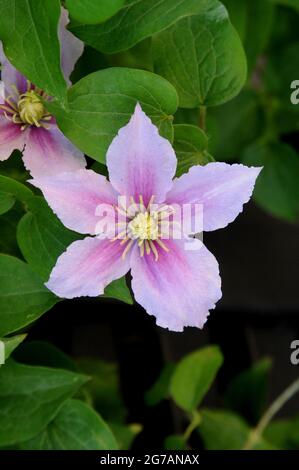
(144,226)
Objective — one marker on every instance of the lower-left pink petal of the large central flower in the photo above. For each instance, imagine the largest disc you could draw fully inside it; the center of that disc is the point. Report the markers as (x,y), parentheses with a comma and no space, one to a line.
(87,267)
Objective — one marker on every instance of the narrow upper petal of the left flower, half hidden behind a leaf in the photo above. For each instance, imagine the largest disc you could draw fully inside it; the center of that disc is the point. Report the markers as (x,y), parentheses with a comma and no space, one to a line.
(71,47)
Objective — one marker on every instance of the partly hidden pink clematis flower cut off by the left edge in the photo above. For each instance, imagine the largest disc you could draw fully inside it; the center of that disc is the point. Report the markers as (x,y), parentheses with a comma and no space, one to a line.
(26,125)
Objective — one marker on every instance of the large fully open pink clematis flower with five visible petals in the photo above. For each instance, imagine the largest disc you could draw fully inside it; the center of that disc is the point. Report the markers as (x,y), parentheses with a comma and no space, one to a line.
(176,285)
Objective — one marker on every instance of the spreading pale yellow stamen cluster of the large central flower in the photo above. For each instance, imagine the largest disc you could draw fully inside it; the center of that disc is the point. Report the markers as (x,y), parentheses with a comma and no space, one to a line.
(144,226)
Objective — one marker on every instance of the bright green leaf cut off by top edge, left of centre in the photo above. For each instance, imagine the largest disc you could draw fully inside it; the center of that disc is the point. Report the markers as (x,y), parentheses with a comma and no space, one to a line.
(93,11)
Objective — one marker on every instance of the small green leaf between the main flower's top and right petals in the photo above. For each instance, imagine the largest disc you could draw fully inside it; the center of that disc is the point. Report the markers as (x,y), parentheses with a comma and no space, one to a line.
(191,147)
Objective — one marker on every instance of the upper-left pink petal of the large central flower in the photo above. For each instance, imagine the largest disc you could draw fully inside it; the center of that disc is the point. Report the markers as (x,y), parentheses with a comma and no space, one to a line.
(74,197)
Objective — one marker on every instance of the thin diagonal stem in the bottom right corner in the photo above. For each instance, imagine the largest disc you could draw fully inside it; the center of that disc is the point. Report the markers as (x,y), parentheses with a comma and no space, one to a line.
(258,431)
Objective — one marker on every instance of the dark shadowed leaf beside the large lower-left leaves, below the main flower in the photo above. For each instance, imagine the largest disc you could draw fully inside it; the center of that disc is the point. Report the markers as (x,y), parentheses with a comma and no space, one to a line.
(104,388)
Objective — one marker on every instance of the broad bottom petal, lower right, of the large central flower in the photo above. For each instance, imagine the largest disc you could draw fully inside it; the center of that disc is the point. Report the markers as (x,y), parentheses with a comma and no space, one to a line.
(180,288)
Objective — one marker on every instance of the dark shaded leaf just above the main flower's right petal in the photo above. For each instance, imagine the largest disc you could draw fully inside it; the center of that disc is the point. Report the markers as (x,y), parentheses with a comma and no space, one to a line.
(244,126)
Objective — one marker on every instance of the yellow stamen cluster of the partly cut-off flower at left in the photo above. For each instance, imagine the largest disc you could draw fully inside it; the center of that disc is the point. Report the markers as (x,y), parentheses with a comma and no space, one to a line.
(26,109)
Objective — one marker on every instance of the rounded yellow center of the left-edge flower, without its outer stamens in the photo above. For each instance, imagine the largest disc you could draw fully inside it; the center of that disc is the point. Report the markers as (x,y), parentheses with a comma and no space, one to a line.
(31,108)
